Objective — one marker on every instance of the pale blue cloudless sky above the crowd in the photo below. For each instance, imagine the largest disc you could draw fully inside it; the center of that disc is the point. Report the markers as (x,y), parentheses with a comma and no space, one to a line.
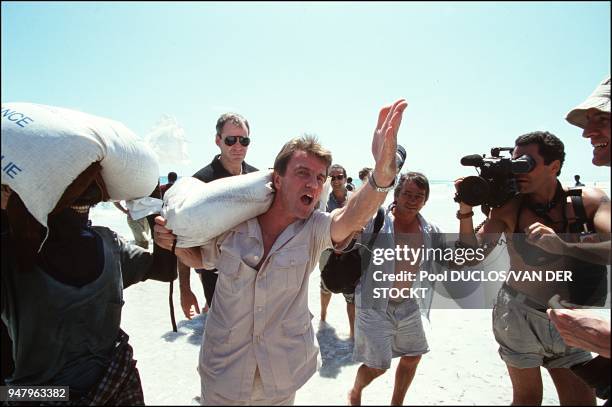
(476,75)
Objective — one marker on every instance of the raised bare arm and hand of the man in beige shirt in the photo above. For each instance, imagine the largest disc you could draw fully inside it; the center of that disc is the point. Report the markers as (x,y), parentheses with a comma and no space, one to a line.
(366,201)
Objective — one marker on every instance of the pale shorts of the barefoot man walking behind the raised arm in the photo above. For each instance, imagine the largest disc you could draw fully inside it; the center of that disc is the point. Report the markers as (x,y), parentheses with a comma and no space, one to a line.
(383,335)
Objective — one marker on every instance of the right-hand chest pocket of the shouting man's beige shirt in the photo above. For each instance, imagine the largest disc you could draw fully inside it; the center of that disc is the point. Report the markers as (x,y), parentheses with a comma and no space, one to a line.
(289,267)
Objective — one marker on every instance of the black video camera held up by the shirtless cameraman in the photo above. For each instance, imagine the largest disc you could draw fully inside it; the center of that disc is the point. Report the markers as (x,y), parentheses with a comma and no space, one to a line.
(496,183)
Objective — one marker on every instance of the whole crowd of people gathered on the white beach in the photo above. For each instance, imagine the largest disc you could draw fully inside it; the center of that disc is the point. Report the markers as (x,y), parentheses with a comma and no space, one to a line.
(258,346)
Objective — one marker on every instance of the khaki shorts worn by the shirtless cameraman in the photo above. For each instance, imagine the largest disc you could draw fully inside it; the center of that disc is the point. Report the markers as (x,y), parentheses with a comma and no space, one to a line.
(527,338)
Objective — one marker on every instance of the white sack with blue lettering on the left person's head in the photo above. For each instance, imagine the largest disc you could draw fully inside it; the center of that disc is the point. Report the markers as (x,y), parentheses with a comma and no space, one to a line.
(45,148)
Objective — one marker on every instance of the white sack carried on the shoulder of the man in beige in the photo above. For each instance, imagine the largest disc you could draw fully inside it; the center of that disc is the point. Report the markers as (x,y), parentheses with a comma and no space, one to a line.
(197,212)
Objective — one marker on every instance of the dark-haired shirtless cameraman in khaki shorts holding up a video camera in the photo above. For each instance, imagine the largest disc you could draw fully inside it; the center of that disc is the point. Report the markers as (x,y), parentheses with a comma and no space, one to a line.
(526,337)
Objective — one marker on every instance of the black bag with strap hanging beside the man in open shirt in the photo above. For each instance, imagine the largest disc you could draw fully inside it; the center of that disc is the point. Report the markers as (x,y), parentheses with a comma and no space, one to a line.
(342,271)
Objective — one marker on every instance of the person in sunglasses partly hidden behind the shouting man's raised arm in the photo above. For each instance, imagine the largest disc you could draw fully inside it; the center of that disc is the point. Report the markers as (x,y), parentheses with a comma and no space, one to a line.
(338,197)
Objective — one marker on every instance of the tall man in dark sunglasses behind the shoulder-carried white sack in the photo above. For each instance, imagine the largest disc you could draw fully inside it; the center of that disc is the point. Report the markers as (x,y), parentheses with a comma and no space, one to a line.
(232,137)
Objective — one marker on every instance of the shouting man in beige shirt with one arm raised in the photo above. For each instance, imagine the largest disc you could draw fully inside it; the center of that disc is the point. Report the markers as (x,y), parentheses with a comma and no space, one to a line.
(258,346)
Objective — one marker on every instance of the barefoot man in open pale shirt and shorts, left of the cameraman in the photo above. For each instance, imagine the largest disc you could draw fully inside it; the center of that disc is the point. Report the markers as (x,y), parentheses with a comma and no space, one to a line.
(392,327)
